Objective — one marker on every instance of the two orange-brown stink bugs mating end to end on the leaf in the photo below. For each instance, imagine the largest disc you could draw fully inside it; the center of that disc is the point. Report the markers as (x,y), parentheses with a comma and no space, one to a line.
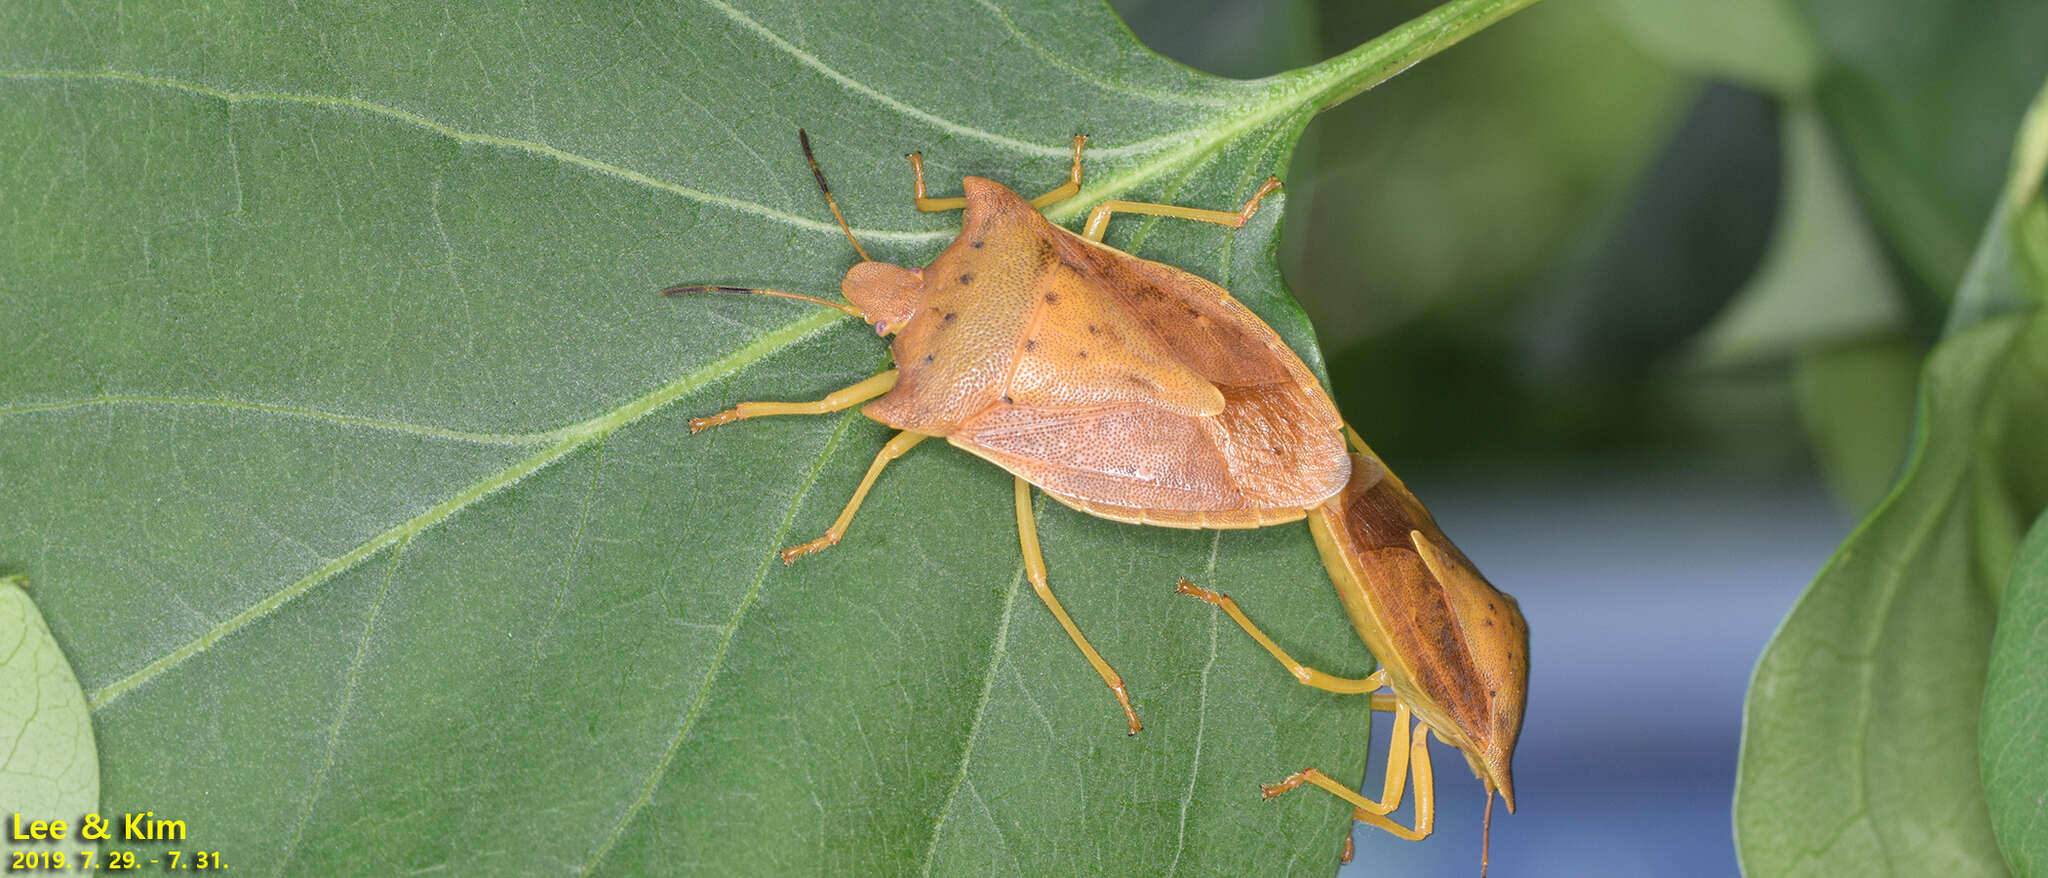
(1144,394)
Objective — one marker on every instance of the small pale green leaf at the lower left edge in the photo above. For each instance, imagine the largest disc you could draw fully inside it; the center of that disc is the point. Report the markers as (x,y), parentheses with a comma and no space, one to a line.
(48,764)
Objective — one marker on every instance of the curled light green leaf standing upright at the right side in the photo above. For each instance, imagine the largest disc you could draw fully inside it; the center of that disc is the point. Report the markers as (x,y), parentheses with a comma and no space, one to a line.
(1861,748)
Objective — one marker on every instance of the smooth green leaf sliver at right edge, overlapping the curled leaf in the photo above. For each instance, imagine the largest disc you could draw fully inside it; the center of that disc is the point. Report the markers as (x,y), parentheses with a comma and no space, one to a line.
(2016,711)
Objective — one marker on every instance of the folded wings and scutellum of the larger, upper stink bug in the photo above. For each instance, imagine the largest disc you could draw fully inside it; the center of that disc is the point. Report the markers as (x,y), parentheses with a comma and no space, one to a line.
(1103,443)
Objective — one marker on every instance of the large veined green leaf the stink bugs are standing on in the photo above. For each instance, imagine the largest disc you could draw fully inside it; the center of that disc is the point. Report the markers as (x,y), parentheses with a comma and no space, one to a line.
(345,439)
